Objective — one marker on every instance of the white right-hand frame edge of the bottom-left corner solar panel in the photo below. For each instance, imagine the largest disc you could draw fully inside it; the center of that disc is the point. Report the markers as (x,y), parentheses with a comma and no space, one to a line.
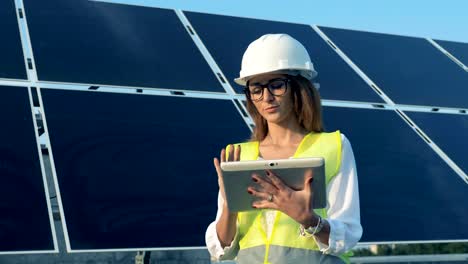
(44,177)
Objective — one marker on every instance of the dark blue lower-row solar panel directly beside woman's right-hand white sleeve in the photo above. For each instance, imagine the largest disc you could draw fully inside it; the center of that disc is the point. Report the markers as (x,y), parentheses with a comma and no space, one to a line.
(407,192)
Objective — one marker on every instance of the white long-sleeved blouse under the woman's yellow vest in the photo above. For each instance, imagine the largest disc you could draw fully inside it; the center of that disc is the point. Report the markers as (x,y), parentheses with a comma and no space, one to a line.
(342,211)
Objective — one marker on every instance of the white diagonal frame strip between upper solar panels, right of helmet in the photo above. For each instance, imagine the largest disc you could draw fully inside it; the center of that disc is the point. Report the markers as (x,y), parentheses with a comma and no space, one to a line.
(363,75)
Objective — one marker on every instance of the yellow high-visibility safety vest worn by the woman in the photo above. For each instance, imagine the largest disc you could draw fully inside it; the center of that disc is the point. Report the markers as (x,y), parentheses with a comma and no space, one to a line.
(285,245)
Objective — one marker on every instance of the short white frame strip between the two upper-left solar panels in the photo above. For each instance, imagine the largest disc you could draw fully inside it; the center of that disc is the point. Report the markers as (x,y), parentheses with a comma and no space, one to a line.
(26,43)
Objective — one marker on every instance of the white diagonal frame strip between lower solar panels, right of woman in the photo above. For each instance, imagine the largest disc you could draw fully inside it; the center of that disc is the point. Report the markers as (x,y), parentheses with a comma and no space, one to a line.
(433,146)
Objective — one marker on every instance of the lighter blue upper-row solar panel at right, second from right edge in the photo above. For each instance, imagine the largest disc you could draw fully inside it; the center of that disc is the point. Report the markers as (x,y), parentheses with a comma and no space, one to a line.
(409,70)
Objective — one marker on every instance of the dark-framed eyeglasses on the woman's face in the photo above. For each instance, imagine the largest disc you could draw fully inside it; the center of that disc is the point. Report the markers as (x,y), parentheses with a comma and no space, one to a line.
(276,87)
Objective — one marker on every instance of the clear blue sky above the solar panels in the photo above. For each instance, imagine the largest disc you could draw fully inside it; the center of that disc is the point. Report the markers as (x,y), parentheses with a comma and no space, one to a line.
(446,20)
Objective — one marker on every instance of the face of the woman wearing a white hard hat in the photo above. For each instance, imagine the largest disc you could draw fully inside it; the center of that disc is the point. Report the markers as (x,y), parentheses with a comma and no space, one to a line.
(275,109)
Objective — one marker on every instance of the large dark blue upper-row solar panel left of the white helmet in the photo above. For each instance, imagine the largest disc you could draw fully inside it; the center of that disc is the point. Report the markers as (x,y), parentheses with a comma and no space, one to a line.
(114,44)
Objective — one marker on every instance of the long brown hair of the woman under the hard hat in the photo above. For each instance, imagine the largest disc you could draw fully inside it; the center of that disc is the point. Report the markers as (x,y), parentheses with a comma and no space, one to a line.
(307,108)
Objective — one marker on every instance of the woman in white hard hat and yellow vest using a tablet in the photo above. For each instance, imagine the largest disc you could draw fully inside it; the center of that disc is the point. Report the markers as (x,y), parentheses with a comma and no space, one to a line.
(285,106)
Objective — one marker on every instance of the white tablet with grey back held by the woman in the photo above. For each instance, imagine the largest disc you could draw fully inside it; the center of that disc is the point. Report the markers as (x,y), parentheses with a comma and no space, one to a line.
(237,176)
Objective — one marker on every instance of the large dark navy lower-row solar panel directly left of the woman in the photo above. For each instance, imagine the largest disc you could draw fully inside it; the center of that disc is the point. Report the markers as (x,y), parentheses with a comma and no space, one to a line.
(136,171)
